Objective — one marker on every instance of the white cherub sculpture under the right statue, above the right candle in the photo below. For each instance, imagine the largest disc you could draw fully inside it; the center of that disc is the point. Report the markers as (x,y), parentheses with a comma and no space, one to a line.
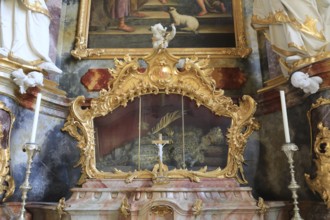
(307,84)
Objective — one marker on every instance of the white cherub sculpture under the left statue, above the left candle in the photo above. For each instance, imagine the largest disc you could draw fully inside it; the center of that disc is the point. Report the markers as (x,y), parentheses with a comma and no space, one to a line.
(24,81)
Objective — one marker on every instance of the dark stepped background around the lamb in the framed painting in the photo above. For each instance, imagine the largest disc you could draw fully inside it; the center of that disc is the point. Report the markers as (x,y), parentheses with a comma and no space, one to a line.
(216,28)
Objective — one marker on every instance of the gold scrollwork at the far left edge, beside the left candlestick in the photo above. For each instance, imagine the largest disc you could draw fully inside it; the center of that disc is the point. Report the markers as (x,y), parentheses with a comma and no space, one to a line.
(7,184)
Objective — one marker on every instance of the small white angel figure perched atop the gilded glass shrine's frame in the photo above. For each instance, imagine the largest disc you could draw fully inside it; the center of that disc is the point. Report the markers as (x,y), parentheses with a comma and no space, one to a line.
(161,38)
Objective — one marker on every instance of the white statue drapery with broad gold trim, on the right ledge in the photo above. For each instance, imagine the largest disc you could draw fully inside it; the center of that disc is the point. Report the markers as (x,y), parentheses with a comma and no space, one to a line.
(294,35)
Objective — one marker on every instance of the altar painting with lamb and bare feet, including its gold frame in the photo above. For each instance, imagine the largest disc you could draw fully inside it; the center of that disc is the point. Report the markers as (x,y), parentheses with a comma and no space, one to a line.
(107,30)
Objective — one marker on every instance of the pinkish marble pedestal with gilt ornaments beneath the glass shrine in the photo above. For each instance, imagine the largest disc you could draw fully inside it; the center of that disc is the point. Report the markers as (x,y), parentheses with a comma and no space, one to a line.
(180,199)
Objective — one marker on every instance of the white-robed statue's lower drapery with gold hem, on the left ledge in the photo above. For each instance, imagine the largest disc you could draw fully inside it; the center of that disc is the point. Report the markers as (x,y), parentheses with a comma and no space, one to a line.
(24,35)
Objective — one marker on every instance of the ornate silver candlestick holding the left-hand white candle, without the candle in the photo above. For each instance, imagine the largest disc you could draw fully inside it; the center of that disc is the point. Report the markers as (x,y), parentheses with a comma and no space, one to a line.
(31,149)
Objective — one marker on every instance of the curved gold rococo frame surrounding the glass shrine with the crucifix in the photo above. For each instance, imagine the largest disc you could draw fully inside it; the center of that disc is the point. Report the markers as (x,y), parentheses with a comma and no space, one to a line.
(162,76)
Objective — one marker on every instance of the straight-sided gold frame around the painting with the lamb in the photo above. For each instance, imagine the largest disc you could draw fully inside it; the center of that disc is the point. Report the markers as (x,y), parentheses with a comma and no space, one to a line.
(82,51)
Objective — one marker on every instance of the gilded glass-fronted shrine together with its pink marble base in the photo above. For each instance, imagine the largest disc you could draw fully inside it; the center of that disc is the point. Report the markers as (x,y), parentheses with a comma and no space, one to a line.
(162,141)
